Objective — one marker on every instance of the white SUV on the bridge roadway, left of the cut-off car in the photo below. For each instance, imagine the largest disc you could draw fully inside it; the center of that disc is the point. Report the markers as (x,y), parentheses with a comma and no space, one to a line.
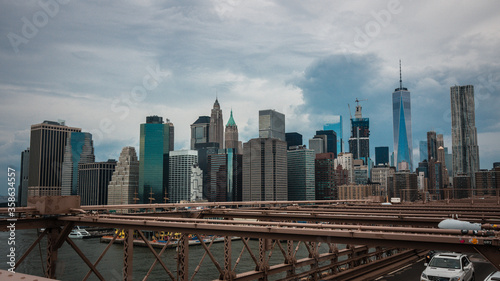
(449,267)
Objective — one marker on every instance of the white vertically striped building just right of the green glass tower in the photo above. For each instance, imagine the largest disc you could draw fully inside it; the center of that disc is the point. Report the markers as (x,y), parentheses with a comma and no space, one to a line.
(183,165)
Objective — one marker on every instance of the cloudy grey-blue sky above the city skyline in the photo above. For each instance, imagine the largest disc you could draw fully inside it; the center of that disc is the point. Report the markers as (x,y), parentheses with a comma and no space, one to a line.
(104,66)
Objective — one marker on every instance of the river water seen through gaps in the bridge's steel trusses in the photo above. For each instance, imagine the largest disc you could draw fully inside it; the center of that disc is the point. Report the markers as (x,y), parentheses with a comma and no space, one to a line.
(71,267)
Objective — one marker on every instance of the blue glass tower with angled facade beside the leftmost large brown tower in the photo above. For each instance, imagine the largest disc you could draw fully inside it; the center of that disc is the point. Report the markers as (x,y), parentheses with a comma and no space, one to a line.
(79,149)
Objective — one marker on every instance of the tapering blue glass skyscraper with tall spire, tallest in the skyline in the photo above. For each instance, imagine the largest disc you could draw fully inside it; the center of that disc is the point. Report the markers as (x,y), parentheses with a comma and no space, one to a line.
(401,113)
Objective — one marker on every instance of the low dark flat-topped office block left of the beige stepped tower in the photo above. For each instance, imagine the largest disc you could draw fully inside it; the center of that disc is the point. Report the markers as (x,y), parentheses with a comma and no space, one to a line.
(93,181)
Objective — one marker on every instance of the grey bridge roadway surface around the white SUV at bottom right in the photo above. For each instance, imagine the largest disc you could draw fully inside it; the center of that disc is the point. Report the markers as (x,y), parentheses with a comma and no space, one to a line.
(412,273)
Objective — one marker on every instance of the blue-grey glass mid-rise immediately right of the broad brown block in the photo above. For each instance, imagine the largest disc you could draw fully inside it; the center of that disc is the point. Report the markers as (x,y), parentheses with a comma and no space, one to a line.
(301,181)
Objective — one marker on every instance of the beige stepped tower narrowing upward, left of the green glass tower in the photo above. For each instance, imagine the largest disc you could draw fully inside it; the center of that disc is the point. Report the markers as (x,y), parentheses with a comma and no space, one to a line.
(125,180)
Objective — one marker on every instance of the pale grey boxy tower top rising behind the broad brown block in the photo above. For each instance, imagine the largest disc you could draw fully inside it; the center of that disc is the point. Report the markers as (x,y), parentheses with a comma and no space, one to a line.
(271,124)
